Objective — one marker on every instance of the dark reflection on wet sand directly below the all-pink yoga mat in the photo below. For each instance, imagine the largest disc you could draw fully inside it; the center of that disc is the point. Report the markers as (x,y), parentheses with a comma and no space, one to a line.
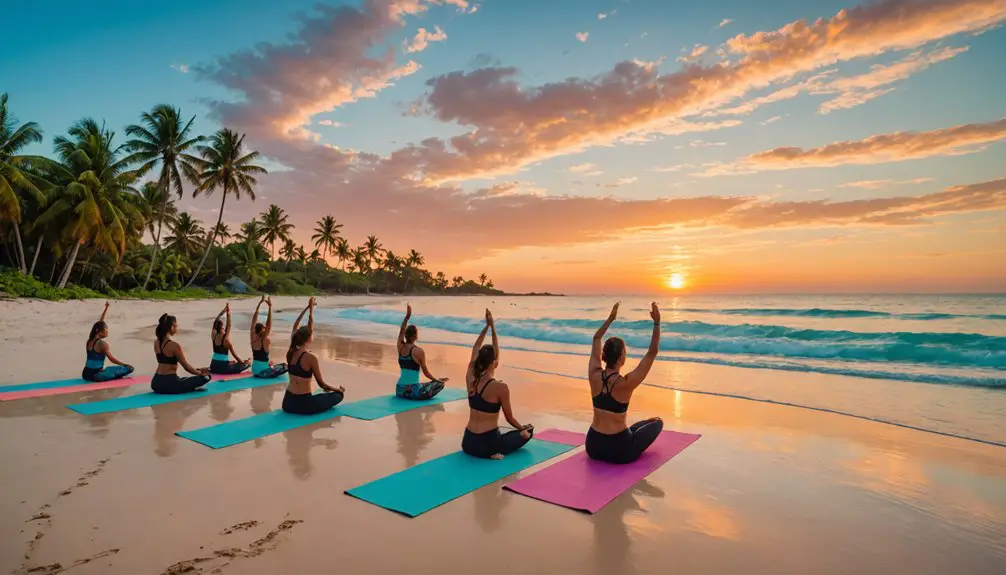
(613,528)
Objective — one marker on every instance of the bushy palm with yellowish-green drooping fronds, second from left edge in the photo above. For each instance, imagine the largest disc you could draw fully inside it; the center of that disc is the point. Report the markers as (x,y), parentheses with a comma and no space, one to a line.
(95,200)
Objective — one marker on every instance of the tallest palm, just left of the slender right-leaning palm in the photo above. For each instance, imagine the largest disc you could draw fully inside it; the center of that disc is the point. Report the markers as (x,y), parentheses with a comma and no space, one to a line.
(162,137)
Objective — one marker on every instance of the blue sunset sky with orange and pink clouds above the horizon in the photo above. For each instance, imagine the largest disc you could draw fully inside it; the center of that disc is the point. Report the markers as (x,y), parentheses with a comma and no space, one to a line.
(579,146)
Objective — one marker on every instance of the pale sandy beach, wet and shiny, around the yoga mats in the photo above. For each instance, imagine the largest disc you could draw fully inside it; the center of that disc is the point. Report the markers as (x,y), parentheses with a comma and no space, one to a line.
(767,490)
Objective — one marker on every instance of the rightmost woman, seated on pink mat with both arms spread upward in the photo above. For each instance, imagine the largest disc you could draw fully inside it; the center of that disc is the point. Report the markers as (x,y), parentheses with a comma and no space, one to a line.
(609,439)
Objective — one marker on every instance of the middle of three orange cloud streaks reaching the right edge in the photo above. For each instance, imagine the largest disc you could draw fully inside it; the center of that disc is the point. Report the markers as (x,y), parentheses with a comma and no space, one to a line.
(881,149)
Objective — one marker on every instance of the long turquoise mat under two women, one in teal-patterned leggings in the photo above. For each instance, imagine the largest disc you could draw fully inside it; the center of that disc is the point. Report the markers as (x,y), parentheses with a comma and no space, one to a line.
(241,431)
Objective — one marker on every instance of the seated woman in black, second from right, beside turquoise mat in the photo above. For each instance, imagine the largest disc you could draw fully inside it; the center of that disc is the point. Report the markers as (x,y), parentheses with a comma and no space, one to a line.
(485,398)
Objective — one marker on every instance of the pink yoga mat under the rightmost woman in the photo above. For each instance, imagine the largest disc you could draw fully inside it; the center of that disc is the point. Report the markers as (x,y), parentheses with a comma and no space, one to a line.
(583,484)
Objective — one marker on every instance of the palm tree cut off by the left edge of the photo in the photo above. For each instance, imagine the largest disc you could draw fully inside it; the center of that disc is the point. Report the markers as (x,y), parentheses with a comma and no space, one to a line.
(16,171)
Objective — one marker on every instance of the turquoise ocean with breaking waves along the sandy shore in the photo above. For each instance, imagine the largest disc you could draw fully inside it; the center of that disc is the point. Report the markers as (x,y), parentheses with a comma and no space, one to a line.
(937,363)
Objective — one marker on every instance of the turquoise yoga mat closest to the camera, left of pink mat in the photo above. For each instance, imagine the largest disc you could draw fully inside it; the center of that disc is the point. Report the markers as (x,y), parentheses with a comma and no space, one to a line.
(448,478)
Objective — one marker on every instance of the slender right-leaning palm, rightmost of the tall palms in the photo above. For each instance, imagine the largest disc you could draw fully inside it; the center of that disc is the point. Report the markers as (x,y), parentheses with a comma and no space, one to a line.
(226,166)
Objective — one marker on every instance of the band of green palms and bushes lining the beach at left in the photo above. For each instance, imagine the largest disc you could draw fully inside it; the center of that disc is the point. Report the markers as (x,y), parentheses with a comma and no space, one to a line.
(101,217)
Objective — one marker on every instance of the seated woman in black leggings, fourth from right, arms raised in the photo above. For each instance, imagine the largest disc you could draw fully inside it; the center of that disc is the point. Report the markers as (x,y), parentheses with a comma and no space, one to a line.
(302,365)
